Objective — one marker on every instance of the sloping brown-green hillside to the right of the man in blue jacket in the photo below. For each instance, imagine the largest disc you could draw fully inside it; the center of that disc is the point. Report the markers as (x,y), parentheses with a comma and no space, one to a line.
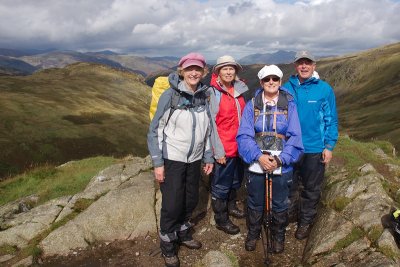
(367,86)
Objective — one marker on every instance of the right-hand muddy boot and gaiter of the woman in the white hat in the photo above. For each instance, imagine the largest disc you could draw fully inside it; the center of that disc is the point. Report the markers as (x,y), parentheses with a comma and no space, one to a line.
(280,221)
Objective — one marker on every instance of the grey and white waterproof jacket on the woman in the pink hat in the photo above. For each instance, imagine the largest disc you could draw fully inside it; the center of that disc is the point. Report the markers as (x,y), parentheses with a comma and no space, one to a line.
(183,135)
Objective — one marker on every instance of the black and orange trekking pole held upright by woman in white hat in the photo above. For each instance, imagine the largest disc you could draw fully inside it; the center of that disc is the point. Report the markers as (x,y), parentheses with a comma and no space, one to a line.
(267,222)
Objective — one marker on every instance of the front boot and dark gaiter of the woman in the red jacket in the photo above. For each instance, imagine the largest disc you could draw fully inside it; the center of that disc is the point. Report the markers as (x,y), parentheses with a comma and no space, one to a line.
(220,208)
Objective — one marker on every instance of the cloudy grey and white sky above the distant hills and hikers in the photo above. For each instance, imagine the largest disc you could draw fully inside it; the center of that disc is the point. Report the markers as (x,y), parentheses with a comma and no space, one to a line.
(212,27)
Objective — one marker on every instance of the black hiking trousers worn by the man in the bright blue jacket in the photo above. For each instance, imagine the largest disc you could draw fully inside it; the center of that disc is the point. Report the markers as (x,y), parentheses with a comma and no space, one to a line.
(305,191)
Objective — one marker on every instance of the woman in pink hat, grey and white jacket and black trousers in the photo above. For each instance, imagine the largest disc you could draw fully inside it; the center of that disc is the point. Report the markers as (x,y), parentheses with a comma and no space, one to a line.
(178,142)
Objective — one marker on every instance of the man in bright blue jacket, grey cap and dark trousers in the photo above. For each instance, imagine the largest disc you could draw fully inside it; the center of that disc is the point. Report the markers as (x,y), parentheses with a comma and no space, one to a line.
(316,106)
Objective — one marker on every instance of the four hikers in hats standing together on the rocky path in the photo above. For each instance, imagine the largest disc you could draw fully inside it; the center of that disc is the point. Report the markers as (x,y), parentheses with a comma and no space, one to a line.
(286,133)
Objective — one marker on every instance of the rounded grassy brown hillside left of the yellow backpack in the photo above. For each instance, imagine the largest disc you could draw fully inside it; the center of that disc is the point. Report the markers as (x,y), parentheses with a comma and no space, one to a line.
(83,110)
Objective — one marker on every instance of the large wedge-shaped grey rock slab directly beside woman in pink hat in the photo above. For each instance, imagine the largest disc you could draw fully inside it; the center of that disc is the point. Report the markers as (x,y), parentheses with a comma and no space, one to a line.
(123,213)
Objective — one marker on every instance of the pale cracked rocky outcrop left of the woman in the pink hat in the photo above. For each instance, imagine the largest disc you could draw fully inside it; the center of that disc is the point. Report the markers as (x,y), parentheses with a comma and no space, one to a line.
(123,208)
